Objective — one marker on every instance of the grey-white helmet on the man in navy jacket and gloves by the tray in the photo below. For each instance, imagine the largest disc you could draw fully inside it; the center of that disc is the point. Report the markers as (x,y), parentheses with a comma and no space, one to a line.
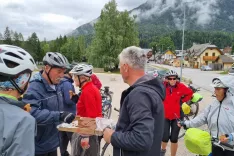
(55,59)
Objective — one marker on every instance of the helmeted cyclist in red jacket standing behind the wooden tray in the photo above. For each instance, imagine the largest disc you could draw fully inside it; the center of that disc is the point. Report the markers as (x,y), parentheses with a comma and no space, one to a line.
(88,105)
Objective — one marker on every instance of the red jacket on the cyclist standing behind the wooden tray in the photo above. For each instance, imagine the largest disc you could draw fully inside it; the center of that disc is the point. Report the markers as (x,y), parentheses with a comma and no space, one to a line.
(90,102)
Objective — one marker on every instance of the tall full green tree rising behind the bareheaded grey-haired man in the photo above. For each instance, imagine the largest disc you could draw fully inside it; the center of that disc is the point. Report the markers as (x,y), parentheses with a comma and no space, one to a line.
(114,31)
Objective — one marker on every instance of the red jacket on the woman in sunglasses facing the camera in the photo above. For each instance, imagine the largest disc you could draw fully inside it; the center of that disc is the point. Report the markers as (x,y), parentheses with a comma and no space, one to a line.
(174,95)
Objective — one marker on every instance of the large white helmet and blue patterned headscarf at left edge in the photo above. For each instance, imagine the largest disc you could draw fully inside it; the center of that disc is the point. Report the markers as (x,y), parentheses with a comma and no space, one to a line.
(16,66)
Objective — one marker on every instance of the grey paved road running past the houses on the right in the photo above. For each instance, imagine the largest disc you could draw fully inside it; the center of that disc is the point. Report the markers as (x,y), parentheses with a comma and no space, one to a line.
(199,78)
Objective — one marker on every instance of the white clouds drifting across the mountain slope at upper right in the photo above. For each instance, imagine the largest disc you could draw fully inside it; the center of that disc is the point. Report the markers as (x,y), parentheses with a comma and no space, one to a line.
(204,10)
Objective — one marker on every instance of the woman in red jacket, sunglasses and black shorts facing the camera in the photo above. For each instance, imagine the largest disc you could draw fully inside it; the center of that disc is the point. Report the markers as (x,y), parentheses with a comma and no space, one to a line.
(176,93)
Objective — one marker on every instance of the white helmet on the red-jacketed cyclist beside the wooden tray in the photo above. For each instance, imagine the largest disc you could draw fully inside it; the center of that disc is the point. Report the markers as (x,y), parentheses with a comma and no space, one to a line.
(82,69)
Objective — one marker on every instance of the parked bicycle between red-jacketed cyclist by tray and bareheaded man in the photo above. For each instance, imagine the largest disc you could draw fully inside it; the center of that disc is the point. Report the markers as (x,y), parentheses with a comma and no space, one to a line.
(106,102)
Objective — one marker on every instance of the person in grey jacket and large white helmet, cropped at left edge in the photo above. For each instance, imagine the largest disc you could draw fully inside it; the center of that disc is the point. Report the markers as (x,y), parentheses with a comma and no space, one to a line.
(17,127)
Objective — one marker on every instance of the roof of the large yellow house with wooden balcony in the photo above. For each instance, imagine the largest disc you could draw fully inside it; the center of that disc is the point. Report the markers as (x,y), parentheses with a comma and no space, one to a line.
(198,49)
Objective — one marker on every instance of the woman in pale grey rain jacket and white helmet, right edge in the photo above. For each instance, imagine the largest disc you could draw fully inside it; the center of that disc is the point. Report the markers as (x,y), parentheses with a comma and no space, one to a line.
(219,115)
